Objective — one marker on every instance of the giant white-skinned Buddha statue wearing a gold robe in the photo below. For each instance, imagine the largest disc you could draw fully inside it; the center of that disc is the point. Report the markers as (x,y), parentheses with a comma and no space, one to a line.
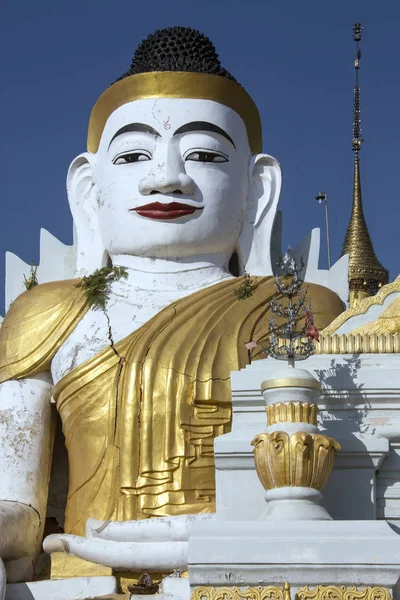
(172,186)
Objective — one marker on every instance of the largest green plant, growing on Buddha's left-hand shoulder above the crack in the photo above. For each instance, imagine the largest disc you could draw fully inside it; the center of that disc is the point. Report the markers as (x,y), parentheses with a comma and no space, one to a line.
(97,286)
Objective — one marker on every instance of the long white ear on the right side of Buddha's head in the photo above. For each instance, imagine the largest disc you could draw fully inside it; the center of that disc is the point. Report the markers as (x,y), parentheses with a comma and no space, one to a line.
(254,244)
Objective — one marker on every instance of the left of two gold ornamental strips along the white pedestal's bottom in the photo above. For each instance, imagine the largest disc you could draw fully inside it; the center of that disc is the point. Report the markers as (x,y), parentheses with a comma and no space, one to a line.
(237,593)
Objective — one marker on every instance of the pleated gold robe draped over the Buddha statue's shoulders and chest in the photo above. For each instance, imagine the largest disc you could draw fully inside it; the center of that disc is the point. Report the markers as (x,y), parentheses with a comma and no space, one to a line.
(140,422)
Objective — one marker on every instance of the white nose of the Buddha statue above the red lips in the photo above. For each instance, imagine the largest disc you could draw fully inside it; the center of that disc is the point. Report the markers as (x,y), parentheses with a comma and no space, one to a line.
(168,177)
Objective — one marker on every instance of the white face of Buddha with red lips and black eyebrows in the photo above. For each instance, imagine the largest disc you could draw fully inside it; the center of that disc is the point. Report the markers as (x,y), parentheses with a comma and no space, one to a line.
(172,179)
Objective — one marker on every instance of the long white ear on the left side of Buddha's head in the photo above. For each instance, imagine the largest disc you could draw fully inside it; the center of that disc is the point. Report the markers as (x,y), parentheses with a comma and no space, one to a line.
(83,201)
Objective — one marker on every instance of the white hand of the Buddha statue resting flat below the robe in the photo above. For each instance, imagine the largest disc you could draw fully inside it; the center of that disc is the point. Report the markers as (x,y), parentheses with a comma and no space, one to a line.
(157,544)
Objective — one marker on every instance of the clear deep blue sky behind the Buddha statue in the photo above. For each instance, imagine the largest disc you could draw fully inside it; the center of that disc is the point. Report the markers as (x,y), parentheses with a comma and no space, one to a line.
(294,58)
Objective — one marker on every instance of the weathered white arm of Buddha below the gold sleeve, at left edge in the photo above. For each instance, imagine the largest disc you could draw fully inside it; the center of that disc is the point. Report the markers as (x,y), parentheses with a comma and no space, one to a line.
(25,454)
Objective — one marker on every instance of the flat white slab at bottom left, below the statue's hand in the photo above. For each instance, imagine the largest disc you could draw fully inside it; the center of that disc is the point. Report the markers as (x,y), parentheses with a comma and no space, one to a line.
(77,588)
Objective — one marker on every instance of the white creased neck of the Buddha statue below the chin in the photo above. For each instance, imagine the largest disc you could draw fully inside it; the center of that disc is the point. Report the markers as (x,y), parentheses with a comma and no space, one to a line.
(165,275)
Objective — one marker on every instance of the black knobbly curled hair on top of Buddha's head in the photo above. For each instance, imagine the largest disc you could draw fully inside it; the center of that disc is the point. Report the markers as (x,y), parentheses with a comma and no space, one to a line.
(177,49)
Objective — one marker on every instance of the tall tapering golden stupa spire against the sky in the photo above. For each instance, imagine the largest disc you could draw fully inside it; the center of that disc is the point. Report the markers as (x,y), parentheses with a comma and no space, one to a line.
(366,274)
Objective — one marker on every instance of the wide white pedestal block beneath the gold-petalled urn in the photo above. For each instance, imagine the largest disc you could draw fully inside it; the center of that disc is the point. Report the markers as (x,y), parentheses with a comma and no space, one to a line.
(254,553)
